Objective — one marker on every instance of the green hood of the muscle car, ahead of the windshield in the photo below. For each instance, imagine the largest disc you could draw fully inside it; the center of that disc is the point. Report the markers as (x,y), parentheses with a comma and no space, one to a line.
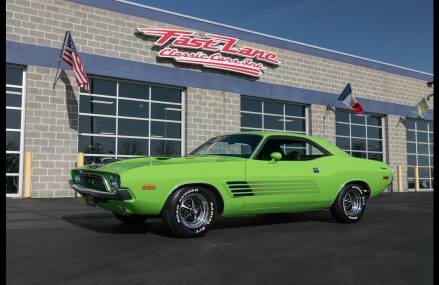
(127,164)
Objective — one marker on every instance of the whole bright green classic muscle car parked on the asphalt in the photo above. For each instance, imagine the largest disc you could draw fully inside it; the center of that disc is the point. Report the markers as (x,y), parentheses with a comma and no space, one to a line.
(233,175)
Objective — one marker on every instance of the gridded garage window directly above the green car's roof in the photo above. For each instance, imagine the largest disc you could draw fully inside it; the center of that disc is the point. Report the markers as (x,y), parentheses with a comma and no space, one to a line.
(258,114)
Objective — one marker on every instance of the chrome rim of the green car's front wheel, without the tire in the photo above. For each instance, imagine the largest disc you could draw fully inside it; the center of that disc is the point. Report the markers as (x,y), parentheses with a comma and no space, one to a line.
(194,210)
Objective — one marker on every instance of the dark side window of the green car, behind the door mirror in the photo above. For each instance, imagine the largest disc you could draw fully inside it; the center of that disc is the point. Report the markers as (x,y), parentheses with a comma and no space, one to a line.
(291,150)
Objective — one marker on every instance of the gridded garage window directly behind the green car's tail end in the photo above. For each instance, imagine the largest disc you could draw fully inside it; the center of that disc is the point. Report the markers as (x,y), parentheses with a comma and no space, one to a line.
(360,135)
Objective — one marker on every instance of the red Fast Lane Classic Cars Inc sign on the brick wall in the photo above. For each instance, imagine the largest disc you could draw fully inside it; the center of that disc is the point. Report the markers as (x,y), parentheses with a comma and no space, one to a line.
(246,60)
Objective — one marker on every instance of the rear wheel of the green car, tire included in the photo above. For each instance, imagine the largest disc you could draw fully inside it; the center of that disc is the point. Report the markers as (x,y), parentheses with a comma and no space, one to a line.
(350,204)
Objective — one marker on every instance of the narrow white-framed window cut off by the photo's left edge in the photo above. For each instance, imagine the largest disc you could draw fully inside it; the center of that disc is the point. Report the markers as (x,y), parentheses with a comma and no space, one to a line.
(15,79)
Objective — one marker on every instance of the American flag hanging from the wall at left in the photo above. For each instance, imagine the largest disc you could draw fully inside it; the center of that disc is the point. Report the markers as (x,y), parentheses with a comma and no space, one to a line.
(71,57)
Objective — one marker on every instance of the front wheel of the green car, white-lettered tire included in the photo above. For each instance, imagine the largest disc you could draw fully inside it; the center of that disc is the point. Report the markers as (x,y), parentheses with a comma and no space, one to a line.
(190,211)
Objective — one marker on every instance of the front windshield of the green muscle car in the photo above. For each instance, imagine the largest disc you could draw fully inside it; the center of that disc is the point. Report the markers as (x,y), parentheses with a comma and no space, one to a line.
(241,145)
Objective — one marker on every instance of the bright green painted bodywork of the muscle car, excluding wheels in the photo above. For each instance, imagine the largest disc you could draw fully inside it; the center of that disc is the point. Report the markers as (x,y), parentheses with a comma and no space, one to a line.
(244,184)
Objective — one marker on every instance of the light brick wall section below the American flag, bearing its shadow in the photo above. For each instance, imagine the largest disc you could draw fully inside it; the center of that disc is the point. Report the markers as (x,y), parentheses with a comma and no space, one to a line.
(51,130)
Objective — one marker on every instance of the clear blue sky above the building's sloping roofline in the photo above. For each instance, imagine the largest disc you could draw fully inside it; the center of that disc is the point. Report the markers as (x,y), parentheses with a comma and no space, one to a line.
(391,31)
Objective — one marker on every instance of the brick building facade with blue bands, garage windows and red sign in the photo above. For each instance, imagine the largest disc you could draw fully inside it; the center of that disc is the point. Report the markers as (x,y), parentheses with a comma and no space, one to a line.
(163,83)
